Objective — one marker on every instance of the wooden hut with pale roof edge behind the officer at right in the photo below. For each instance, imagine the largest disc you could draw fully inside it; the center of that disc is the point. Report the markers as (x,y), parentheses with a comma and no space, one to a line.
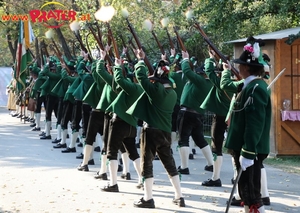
(285,129)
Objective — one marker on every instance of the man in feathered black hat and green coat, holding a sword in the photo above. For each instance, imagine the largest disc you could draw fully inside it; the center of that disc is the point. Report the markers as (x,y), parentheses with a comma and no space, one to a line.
(248,137)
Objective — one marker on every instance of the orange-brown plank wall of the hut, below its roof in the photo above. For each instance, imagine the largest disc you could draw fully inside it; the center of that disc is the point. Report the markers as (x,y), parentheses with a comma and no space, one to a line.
(284,135)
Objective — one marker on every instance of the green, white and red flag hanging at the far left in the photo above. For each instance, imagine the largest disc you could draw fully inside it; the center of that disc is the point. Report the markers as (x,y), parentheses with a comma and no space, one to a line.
(23,58)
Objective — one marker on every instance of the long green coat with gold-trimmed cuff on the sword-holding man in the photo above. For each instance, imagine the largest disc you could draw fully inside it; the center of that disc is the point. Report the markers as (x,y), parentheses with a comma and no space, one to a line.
(249,130)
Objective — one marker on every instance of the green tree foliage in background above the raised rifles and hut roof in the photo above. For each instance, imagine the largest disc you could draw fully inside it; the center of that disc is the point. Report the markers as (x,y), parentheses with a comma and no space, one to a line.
(221,20)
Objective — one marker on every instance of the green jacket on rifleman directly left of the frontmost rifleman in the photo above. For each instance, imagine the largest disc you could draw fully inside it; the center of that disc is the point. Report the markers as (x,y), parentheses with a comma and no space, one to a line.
(129,94)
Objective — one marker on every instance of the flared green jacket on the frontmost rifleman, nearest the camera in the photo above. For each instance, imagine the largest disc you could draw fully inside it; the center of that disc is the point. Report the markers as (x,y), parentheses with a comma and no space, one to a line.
(155,105)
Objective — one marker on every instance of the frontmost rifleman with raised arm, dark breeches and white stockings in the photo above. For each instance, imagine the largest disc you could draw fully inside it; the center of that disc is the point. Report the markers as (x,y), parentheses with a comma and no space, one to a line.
(155,107)
